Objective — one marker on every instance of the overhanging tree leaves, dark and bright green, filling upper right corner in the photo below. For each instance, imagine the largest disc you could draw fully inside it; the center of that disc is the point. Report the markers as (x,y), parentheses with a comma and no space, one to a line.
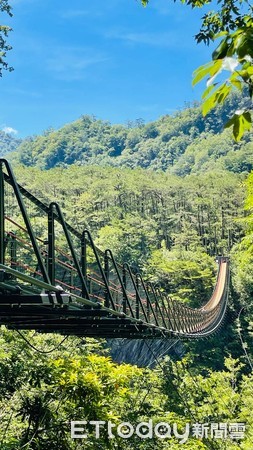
(231,25)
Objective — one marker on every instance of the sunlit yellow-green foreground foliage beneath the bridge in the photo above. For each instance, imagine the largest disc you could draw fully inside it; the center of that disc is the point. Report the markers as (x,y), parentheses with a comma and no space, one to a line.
(41,393)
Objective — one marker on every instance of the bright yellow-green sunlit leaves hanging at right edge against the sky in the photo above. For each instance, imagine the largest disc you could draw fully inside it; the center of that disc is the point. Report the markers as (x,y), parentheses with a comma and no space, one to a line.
(235,55)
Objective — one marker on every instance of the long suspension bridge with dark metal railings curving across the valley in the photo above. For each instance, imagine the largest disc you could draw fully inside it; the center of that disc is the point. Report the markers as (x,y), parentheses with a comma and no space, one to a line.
(54,279)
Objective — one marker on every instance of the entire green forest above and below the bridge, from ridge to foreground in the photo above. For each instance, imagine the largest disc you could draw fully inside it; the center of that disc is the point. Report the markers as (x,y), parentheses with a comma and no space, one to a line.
(167,197)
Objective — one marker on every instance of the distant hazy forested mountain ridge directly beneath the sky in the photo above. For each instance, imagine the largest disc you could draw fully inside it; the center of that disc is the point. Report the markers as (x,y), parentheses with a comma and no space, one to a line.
(183,143)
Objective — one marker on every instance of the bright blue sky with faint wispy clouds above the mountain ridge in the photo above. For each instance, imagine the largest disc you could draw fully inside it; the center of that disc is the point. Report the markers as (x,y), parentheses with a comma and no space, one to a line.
(113,59)
